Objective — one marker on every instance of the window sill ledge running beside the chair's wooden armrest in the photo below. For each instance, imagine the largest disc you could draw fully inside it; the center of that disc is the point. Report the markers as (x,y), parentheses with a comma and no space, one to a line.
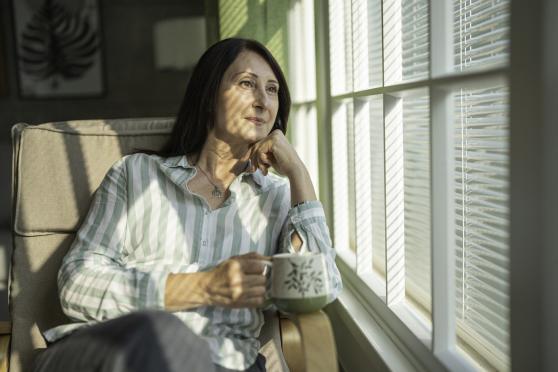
(369,334)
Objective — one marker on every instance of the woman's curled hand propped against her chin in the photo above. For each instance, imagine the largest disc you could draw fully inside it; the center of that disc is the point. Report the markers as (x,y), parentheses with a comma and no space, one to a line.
(275,151)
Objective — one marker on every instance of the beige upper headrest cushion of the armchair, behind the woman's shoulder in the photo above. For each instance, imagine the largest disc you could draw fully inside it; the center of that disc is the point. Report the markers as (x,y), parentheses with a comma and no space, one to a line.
(63,163)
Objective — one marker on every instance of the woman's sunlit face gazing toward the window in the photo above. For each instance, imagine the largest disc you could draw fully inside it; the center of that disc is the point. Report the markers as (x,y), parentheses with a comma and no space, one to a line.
(247,101)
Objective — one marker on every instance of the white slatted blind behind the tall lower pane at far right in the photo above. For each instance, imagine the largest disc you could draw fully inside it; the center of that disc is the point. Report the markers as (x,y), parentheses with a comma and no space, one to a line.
(482,252)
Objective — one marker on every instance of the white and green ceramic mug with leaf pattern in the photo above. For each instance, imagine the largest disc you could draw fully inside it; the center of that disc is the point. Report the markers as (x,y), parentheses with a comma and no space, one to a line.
(298,282)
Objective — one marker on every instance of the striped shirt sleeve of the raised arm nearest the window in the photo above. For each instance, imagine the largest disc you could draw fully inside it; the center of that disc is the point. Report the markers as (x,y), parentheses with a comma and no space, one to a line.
(308,220)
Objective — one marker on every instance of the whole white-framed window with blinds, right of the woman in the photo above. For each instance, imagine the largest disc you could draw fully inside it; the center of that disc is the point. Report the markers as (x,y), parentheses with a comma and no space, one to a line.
(419,139)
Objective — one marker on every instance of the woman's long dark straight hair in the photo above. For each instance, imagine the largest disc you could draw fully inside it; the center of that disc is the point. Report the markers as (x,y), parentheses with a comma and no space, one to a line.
(196,116)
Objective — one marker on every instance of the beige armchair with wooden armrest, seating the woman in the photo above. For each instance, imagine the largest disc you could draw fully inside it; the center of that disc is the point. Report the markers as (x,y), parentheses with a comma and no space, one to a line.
(56,169)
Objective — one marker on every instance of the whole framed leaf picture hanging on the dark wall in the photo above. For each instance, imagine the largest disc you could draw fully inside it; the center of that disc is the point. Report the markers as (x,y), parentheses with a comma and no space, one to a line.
(59,52)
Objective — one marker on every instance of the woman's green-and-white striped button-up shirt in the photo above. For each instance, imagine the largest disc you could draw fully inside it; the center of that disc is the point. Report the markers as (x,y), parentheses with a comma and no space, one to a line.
(144,223)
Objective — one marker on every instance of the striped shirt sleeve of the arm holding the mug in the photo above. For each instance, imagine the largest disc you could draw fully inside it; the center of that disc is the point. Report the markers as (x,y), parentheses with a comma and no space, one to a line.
(93,282)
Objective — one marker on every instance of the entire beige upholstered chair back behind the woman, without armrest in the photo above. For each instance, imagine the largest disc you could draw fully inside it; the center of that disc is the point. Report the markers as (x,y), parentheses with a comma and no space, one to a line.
(56,169)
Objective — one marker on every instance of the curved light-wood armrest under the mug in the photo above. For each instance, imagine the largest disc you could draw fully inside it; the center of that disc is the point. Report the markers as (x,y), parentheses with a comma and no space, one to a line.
(308,342)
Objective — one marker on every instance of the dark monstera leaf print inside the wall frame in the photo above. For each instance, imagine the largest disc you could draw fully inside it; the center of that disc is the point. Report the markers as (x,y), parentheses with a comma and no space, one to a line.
(58,48)
